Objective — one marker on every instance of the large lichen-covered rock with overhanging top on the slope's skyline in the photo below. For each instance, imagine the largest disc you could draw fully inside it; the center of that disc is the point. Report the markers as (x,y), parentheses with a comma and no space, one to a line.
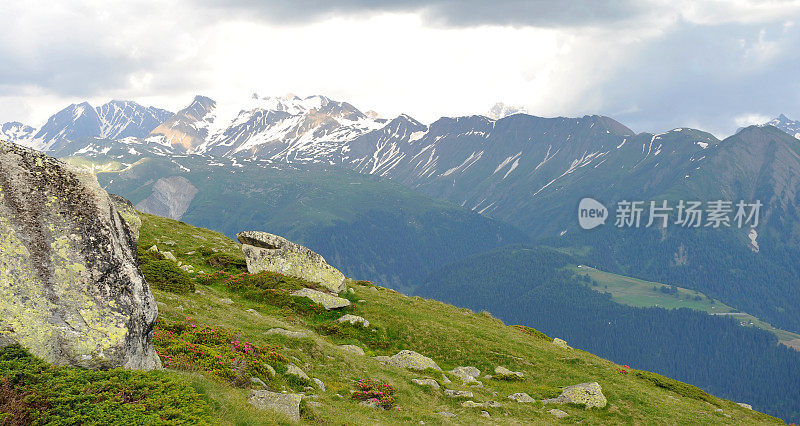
(267,252)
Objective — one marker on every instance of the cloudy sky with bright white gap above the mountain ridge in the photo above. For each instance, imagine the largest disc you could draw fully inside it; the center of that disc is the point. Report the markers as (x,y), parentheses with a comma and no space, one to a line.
(653,65)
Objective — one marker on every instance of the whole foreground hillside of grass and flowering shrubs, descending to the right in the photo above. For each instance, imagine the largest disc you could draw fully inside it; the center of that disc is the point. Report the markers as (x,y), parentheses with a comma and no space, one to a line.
(242,307)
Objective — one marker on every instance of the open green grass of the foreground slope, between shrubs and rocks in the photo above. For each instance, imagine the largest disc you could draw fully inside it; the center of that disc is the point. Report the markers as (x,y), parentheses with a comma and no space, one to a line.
(449,335)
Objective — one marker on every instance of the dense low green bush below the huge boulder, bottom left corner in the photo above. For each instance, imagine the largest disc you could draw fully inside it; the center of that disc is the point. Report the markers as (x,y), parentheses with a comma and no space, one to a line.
(34,392)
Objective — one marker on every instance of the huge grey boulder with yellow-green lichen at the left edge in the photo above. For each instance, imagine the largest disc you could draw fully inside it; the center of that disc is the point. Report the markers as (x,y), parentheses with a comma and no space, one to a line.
(71,291)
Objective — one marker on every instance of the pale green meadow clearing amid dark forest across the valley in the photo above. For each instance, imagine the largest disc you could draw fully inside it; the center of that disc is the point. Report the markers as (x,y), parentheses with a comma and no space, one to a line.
(635,292)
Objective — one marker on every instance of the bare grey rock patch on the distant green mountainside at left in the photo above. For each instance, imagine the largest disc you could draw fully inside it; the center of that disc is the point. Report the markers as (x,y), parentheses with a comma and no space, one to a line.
(171,197)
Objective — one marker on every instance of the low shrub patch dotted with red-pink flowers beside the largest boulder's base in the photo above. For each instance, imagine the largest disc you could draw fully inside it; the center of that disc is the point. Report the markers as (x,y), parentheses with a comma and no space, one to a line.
(215,351)
